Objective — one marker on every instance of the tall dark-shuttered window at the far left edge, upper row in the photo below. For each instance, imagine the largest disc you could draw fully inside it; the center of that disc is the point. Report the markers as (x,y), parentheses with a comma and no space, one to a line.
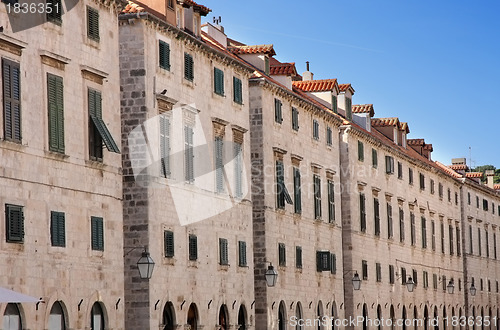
(11,78)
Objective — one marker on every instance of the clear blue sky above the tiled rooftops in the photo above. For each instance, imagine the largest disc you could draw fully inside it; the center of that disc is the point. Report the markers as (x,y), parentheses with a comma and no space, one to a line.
(433,64)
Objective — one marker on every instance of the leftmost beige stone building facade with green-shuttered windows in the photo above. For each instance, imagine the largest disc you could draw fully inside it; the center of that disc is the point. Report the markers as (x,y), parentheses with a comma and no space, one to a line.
(60,182)
